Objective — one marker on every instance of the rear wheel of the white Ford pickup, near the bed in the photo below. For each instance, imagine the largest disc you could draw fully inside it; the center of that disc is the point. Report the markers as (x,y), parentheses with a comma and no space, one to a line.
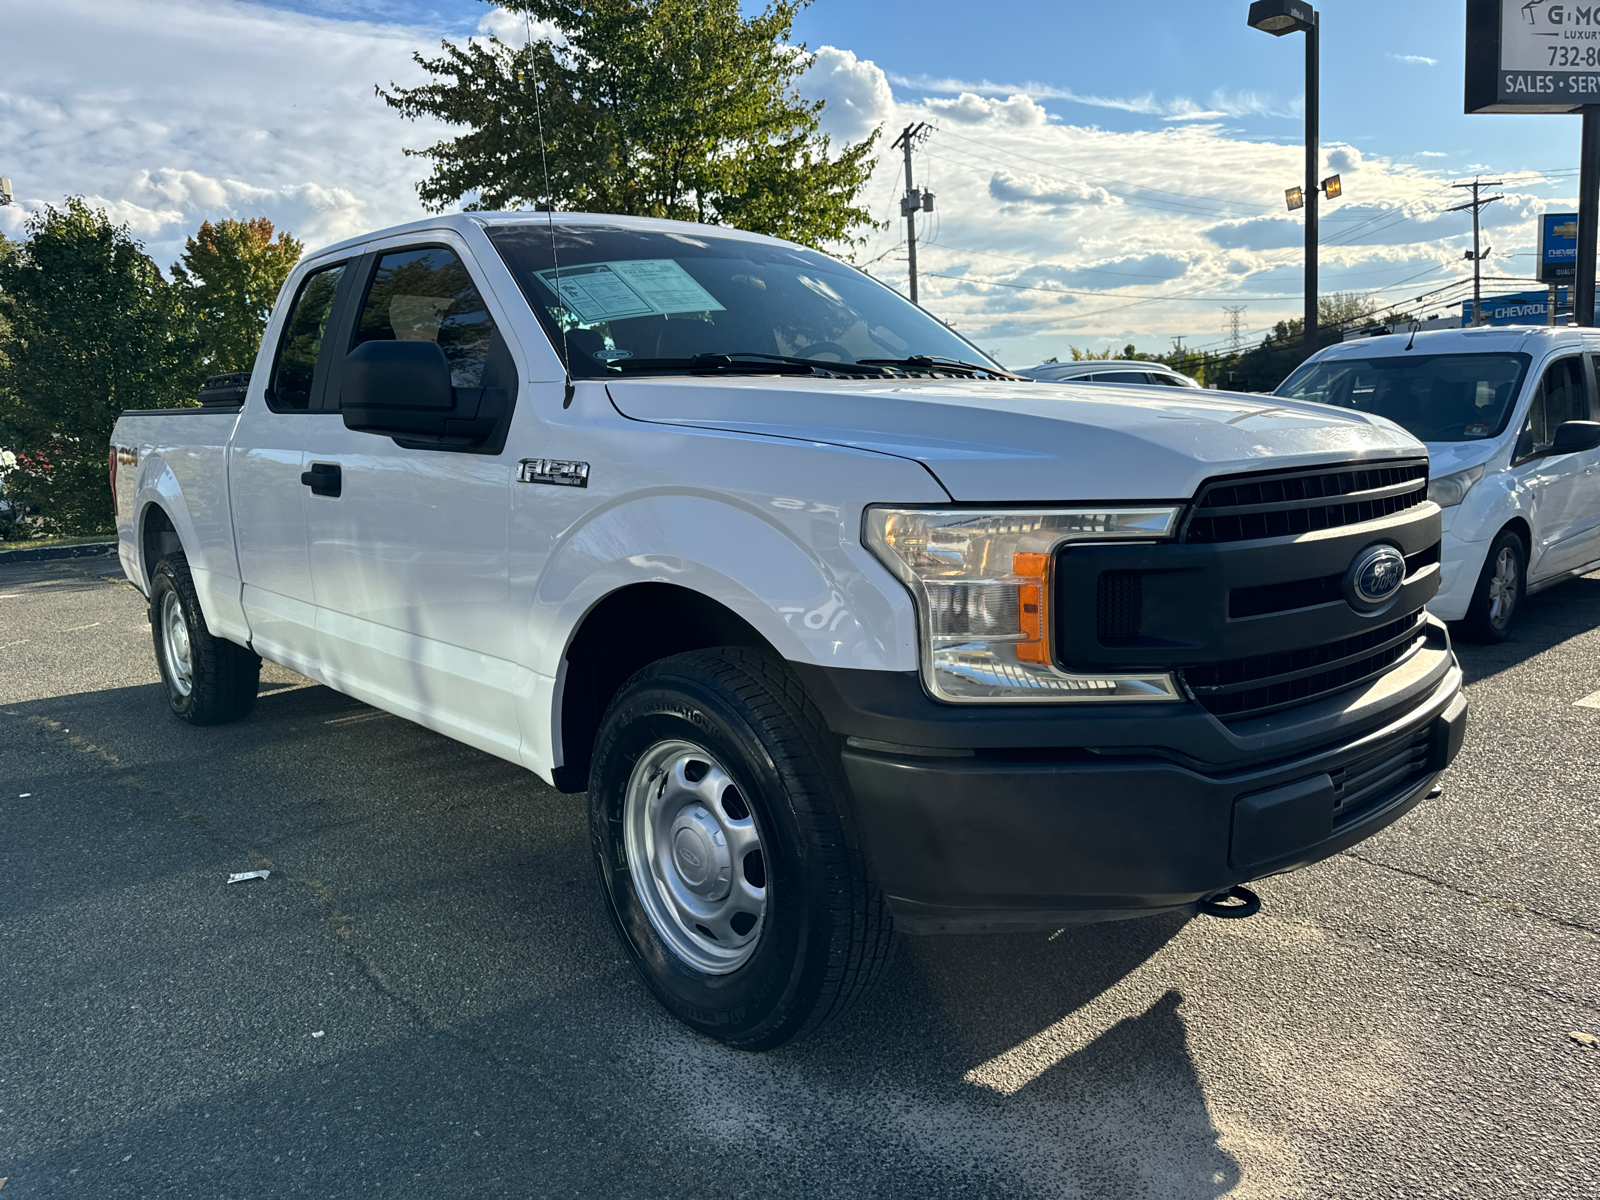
(223,676)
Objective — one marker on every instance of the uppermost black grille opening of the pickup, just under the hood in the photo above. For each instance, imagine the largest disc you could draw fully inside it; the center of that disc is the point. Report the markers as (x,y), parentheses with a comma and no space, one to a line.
(1300,502)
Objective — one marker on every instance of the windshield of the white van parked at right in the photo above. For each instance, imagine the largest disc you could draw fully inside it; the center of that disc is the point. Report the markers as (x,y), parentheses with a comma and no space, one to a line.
(1439,398)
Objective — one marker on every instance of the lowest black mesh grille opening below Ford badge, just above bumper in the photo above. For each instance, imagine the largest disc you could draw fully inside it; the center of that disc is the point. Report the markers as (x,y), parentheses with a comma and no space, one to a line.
(1250,687)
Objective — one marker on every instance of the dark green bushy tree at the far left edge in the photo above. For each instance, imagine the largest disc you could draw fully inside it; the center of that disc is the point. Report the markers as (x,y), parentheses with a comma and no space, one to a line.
(90,330)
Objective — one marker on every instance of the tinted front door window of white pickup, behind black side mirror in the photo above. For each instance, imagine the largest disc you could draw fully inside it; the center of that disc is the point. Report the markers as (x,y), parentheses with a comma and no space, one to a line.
(426,295)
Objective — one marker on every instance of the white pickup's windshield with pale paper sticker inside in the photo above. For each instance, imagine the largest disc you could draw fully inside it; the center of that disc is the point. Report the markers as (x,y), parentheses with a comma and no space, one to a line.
(647,300)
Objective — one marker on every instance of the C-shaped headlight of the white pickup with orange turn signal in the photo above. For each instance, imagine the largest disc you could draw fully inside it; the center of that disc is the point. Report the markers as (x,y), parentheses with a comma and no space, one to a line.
(983,588)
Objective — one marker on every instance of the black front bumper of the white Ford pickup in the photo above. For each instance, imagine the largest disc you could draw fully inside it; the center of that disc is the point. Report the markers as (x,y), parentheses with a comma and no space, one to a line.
(994,838)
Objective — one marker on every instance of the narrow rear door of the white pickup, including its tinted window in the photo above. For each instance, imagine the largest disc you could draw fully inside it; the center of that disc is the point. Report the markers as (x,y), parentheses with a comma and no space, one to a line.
(265,476)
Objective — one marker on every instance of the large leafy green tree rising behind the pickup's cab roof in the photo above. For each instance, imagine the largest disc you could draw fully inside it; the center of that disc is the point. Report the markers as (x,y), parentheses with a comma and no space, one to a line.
(678,110)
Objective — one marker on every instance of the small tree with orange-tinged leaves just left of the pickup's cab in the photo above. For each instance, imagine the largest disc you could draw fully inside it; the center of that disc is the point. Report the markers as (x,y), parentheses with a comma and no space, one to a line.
(230,281)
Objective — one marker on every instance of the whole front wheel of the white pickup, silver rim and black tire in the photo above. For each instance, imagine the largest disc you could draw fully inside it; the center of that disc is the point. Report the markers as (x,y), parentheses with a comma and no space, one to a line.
(729,860)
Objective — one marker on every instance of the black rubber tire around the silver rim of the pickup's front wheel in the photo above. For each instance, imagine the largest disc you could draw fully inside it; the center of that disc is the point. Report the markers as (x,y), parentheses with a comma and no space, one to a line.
(825,934)
